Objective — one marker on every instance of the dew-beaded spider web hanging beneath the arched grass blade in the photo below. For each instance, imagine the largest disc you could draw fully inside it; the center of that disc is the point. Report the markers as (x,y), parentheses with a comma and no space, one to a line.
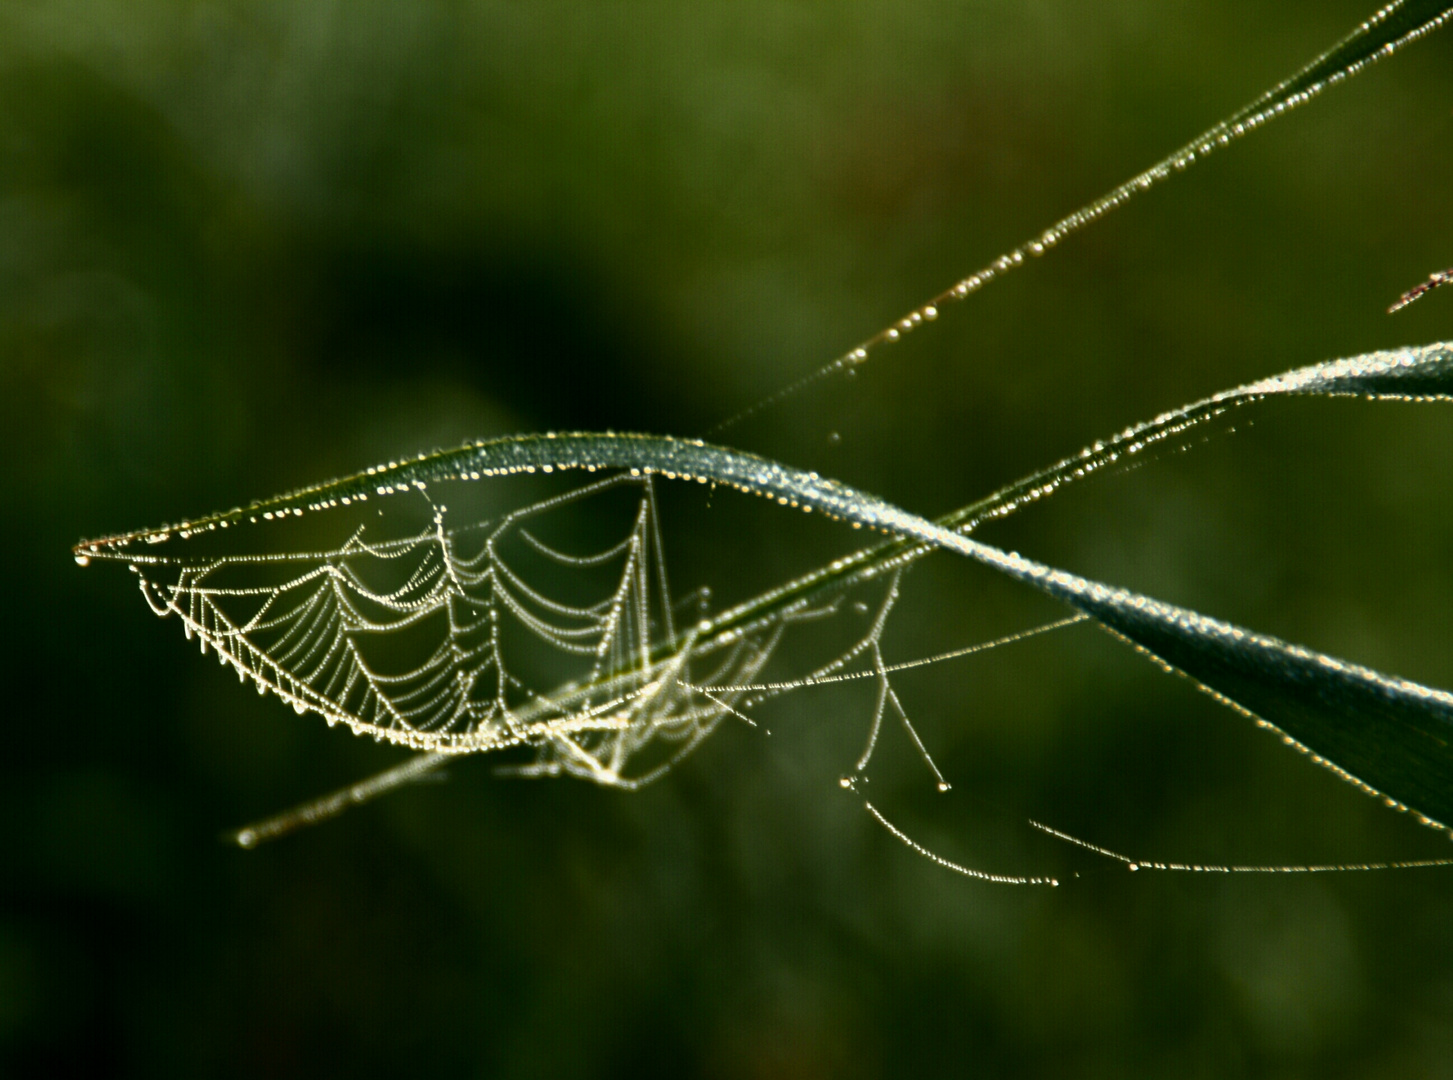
(470,636)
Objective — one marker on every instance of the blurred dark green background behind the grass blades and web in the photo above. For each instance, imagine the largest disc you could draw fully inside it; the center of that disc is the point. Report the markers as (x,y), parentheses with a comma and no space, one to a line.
(248,246)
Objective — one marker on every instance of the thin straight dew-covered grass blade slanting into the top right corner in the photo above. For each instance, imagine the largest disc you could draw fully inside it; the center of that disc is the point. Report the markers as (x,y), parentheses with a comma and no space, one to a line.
(1380,37)
